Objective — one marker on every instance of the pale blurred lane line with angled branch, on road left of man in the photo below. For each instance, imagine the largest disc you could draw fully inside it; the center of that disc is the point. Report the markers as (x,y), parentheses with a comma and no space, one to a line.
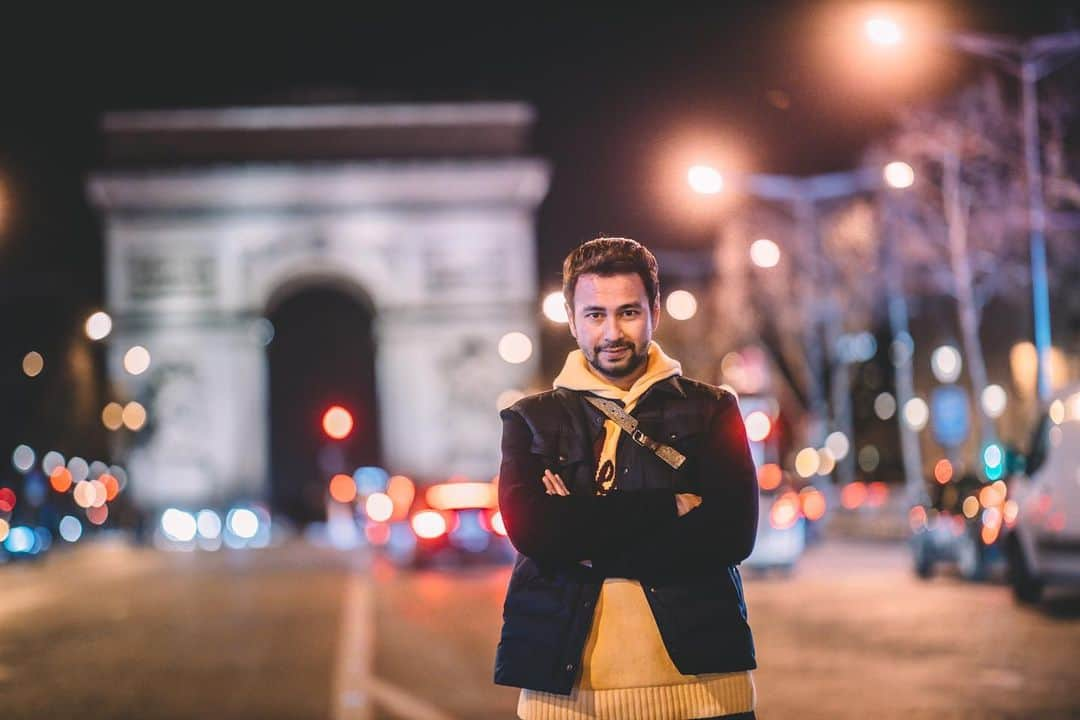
(357,690)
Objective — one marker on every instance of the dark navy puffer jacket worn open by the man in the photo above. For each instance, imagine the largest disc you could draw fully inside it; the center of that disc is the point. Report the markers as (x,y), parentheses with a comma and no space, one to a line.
(687,566)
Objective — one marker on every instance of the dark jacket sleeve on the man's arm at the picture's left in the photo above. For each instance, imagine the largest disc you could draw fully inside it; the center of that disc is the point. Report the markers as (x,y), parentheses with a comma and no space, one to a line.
(568,528)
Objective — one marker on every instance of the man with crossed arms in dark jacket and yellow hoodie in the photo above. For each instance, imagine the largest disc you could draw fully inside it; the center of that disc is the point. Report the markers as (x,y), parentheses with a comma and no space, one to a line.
(626,602)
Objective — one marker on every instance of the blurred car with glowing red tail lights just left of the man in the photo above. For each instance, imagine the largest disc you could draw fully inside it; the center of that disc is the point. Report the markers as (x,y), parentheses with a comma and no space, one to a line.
(453,523)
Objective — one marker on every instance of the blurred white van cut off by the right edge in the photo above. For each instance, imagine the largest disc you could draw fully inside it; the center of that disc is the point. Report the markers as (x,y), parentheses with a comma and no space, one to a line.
(1044,547)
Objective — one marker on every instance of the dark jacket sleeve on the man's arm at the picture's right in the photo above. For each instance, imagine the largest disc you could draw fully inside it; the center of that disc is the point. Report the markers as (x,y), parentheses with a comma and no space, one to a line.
(719,533)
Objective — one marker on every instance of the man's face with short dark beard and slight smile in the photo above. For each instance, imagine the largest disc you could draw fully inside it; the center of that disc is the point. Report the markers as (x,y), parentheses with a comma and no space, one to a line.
(613,323)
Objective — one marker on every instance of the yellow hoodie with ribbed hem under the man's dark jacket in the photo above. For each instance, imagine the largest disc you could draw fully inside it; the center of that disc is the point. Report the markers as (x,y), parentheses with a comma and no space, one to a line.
(626,671)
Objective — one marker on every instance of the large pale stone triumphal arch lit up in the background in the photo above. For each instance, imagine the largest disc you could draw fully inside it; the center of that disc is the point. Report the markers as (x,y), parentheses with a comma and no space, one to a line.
(426,213)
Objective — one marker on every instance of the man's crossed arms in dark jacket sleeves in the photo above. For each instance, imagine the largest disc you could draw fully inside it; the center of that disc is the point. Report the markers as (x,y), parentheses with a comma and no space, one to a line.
(636,535)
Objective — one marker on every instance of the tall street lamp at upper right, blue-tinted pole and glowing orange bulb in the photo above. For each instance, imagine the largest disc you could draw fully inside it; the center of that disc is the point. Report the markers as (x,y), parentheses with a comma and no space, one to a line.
(1030,62)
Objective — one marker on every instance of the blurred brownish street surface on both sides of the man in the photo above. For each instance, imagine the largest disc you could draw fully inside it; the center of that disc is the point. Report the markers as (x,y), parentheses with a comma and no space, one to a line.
(107,631)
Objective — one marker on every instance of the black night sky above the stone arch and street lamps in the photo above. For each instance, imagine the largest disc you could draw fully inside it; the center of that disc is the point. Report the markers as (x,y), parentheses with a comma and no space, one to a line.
(626,98)
